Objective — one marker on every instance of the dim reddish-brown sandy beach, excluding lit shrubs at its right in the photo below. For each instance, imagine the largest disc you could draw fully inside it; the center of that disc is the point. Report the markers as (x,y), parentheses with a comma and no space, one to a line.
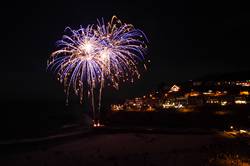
(118,149)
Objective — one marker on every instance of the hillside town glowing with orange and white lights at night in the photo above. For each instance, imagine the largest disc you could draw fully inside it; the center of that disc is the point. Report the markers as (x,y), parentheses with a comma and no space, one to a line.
(187,96)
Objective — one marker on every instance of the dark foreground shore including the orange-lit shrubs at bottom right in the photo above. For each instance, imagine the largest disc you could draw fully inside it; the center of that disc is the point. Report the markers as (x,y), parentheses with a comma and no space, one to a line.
(105,147)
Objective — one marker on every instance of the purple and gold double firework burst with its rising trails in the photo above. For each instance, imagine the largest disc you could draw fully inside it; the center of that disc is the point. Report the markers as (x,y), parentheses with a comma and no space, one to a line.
(89,57)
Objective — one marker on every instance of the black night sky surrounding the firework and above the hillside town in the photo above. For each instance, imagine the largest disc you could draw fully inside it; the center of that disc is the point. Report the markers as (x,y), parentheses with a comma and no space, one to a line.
(187,40)
